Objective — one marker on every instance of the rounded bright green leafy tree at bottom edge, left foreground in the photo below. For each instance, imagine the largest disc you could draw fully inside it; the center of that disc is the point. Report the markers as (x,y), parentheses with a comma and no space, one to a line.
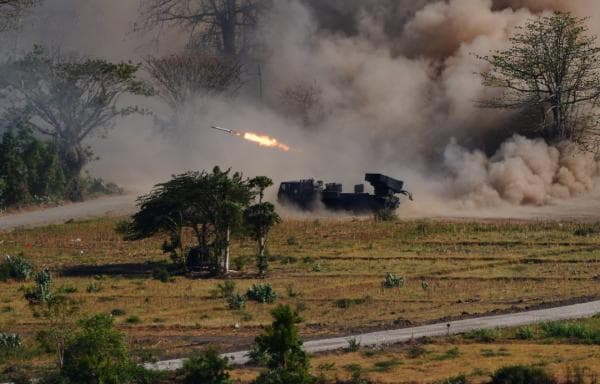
(97,354)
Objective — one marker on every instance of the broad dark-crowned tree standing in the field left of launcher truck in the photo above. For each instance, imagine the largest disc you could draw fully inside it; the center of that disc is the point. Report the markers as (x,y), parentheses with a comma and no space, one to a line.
(210,204)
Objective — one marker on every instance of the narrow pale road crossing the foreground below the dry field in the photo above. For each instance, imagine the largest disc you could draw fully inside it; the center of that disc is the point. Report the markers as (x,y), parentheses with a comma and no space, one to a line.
(402,335)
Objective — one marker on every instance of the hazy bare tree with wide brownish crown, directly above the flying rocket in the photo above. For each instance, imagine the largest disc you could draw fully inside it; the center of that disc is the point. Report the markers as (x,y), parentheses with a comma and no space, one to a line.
(181,77)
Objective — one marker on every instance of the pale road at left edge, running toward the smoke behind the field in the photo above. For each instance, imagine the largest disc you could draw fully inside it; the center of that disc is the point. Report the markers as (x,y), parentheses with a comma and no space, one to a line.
(100,207)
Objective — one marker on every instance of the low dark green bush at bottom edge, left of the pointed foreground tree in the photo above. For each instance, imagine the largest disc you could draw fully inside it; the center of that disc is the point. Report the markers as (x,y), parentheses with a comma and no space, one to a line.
(205,367)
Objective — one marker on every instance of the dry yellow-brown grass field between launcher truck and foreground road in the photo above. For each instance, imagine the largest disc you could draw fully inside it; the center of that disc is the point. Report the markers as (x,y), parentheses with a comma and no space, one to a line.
(331,270)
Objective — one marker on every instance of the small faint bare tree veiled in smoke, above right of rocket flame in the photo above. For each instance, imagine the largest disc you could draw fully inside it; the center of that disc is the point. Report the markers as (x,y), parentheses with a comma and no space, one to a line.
(303,101)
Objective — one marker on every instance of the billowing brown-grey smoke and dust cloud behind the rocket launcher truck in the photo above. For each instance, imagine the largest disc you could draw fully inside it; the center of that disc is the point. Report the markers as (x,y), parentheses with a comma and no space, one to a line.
(398,86)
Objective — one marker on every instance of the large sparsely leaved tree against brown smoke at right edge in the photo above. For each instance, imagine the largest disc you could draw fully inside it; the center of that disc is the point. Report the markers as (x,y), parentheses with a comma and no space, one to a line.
(551,76)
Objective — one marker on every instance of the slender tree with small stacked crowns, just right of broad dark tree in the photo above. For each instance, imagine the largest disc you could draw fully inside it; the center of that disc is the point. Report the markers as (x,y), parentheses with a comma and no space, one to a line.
(259,219)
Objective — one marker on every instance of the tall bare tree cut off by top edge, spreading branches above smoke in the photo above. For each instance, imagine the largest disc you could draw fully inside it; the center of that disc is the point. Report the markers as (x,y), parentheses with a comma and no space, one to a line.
(223,25)
